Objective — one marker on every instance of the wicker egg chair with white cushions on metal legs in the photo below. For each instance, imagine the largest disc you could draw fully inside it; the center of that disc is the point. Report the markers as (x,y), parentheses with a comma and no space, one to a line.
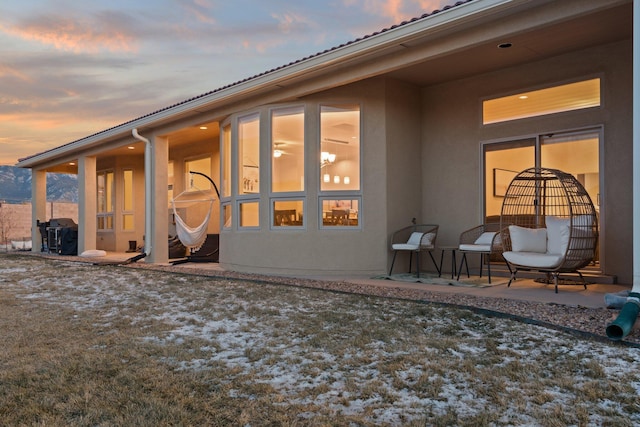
(548,224)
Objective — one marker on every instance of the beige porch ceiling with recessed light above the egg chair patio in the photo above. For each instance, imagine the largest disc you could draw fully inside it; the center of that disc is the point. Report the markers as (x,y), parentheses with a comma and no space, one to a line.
(599,28)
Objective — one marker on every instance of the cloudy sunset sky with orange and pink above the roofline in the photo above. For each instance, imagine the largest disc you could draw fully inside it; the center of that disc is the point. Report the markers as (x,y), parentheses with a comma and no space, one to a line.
(71,68)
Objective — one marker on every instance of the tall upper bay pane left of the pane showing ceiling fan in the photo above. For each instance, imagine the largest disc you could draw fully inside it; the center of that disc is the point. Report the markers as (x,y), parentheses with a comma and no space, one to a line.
(249,154)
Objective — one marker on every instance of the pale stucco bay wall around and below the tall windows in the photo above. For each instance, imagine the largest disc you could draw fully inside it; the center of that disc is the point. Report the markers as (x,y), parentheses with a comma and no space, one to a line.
(387,201)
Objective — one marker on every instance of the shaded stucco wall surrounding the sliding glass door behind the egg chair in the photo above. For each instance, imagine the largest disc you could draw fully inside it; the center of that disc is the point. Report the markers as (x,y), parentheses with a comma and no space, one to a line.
(452,135)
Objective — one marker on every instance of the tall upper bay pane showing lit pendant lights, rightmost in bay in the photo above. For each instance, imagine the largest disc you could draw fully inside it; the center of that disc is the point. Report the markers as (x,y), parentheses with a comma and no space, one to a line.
(340,148)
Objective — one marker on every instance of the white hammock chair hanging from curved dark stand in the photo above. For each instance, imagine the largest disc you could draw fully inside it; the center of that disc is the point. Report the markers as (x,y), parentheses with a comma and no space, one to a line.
(193,238)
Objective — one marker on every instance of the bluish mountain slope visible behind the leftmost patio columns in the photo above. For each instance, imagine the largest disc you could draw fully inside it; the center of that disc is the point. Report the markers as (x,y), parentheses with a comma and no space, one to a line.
(15,186)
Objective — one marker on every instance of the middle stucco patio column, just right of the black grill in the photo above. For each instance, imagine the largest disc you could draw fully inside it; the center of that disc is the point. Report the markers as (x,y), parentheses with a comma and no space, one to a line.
(87,204)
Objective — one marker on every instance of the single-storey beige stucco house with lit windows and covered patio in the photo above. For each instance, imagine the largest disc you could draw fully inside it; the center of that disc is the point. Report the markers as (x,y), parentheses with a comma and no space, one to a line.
(320,160)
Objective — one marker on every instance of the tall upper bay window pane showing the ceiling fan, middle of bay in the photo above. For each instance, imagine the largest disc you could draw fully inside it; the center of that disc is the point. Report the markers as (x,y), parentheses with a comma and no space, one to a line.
(287,151)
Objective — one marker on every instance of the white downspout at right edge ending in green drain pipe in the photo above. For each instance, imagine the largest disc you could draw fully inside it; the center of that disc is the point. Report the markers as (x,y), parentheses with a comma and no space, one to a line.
(620,328)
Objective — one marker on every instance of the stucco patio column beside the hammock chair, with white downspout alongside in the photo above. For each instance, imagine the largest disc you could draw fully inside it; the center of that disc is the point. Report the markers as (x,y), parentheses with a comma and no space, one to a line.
(159,201)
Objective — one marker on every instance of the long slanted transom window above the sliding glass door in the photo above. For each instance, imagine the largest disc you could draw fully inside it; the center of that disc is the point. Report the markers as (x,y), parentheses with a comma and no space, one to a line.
(557,99)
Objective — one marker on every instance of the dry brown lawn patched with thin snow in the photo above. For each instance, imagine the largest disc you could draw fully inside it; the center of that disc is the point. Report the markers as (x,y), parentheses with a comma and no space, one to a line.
(97,345)
